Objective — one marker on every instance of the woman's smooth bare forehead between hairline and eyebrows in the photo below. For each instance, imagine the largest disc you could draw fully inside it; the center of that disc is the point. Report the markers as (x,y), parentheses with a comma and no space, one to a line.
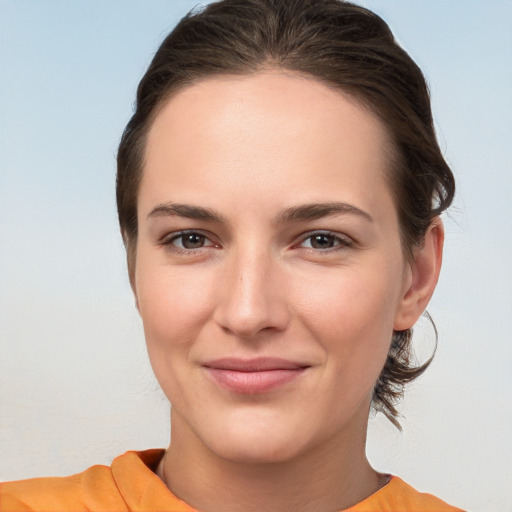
(268,129)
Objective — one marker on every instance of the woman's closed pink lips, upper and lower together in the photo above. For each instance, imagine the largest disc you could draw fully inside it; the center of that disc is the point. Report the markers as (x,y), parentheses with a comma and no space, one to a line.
(253,376)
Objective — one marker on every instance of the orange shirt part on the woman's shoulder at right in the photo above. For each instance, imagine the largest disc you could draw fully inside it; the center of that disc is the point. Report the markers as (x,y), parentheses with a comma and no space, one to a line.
(398,496)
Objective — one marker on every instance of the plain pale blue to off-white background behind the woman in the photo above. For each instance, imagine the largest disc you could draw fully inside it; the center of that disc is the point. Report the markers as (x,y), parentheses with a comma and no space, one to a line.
(75,384)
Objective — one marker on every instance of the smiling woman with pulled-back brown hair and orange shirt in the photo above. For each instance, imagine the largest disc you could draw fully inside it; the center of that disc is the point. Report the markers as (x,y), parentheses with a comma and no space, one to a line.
(279,191)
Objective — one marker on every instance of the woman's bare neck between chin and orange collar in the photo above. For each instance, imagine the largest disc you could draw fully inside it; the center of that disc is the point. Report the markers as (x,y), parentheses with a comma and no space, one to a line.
(330,477)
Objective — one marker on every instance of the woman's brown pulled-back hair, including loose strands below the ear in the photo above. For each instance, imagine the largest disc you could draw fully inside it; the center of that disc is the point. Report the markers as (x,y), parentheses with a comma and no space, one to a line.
(343,45)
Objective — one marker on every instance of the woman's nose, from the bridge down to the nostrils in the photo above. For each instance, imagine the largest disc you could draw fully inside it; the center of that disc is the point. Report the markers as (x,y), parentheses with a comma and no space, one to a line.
(251,296)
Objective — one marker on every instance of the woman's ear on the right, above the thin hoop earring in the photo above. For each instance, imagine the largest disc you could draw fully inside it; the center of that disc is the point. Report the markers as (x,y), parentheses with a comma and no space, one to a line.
(424,269)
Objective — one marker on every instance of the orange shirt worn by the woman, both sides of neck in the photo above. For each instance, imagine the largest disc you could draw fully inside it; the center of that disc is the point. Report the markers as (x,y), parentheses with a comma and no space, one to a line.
(130,484)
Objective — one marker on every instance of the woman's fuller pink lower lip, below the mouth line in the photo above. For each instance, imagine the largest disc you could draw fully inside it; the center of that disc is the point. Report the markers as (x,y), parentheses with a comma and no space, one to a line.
(251,383)
